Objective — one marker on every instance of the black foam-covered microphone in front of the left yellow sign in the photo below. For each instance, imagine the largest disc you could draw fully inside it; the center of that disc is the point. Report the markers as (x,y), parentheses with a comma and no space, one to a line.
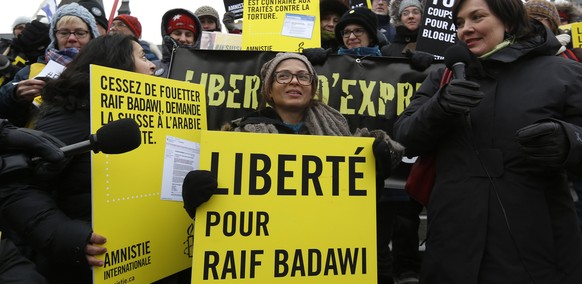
(116,137)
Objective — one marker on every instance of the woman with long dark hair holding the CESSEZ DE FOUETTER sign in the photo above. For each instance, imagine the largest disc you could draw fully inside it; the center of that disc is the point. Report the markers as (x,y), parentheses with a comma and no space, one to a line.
(54,215)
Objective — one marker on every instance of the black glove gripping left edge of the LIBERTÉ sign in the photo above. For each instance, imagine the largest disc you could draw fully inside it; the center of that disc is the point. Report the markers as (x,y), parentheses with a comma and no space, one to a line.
(198,187)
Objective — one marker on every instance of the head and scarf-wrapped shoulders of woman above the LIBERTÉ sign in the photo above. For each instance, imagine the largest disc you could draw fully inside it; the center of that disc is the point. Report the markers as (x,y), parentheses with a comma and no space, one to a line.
(289,101)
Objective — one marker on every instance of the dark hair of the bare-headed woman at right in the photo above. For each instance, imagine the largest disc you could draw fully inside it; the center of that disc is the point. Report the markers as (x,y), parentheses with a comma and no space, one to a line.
(511,12)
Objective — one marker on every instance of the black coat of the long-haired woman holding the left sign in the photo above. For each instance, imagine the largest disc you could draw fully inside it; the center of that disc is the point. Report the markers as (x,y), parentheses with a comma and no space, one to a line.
(54,216)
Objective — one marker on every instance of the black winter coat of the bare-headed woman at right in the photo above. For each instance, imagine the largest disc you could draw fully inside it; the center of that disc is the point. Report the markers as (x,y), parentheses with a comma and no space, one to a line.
(493,216)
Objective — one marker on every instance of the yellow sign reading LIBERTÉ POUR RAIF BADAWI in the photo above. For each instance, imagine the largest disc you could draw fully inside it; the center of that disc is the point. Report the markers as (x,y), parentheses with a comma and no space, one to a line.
(289,209)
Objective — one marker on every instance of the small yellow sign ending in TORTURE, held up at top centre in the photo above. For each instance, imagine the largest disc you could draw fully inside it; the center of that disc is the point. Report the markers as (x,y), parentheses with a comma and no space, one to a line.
(281,25)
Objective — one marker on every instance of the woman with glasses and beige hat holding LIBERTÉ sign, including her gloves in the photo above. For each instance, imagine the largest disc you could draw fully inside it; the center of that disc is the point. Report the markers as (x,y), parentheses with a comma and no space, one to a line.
(290,104)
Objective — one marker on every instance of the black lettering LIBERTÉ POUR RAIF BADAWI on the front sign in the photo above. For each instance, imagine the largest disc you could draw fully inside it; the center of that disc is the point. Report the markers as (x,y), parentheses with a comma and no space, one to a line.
(273,175)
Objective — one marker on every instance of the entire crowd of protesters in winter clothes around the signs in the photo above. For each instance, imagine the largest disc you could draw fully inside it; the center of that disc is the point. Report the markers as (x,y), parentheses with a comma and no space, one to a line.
(505,136)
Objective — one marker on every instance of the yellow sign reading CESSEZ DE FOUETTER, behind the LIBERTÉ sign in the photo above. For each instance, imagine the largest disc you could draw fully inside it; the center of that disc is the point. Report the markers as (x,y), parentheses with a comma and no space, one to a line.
(147,238)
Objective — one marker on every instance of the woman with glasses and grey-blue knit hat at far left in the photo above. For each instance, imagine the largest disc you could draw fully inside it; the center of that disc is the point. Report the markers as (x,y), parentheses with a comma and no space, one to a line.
(72,27)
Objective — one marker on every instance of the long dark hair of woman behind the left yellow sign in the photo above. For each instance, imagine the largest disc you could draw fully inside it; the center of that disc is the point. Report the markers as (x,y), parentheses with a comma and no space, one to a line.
(72,86)
